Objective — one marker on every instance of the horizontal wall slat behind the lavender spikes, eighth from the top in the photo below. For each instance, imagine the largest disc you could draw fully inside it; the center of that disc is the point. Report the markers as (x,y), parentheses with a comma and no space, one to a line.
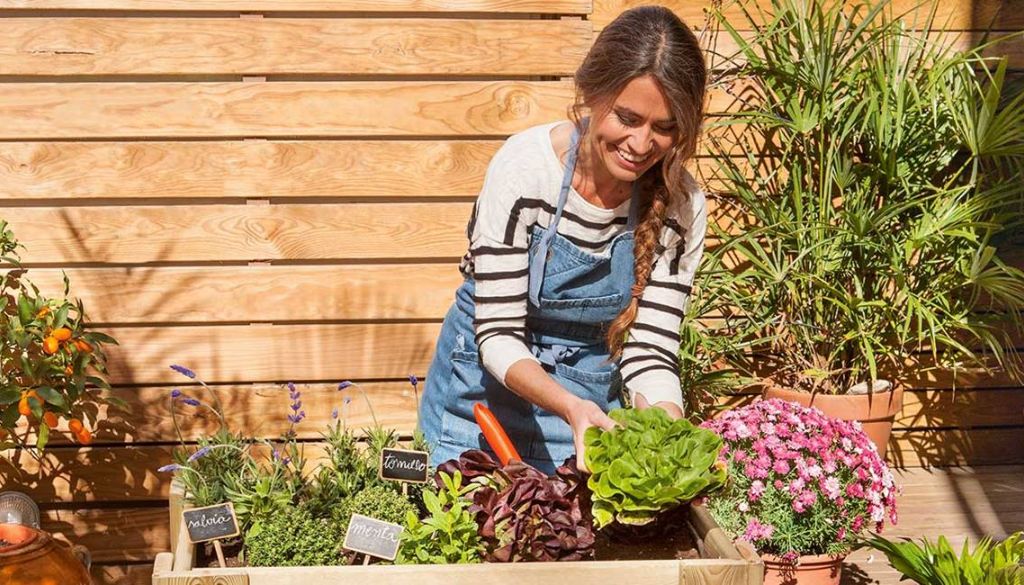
(260,410)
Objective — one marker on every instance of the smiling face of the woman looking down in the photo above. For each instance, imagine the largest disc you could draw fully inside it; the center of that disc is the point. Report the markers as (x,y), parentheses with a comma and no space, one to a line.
(635,132)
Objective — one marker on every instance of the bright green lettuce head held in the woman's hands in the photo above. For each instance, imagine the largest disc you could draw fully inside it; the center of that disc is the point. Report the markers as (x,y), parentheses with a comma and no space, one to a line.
(650,465)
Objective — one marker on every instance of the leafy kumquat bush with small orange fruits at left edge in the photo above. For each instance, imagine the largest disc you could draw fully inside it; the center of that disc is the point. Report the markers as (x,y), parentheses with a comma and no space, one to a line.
(54,365)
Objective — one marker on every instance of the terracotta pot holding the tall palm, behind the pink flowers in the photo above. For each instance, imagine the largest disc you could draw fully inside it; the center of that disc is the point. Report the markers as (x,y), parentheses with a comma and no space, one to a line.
(876,412)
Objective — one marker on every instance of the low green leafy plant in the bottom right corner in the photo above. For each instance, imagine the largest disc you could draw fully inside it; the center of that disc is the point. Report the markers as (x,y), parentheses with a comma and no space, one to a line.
(937,564)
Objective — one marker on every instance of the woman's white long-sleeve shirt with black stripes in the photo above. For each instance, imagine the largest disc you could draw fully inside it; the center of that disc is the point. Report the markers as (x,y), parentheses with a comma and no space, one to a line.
(522,191)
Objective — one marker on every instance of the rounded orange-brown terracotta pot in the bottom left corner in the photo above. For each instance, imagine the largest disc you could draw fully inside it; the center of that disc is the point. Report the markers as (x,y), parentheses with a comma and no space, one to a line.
(30,557)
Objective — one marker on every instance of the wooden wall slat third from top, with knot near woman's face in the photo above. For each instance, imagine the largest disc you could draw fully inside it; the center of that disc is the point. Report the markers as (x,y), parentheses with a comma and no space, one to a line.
(48,111)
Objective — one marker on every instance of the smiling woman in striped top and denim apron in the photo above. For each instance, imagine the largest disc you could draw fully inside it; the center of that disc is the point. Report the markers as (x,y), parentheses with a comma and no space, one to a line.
(584,243)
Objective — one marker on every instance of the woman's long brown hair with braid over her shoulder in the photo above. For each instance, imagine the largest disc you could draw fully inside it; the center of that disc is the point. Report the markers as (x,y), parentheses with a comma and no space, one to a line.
(648,40)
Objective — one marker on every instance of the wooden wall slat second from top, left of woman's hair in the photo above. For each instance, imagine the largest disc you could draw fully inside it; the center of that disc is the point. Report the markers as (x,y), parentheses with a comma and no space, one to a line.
(291,47)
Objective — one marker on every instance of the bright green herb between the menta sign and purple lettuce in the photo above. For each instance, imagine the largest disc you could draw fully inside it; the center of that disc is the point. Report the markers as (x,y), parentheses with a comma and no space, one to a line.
(449,534)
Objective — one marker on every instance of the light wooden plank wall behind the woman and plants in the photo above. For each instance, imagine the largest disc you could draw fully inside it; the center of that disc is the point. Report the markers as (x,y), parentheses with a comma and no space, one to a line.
(269,191)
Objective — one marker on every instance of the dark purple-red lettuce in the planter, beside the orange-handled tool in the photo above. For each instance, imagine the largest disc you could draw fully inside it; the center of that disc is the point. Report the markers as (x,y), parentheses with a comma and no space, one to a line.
(524,515)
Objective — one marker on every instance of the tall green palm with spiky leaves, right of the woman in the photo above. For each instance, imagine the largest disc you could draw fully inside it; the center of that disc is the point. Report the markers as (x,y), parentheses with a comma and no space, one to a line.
(874,179)
